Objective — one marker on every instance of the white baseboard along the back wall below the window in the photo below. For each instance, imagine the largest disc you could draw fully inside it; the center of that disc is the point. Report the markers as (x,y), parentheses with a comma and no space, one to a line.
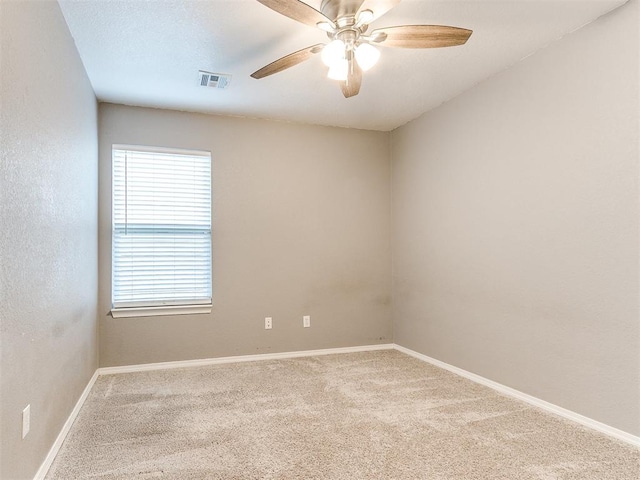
(240,358)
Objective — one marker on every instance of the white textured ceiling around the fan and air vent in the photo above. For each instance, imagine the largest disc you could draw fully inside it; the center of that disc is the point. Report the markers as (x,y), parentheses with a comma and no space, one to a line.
(148,53)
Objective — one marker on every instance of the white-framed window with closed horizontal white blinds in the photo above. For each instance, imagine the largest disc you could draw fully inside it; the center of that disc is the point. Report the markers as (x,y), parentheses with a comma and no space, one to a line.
(161,232)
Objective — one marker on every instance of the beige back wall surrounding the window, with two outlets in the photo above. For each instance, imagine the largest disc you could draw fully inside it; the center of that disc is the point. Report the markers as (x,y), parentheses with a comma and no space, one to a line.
(300,226)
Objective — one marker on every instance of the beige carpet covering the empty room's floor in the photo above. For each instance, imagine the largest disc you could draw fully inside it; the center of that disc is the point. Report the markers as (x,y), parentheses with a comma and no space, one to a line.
(373,415)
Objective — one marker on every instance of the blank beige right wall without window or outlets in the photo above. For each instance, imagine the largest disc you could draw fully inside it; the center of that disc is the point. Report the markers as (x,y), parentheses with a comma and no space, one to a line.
(515,226)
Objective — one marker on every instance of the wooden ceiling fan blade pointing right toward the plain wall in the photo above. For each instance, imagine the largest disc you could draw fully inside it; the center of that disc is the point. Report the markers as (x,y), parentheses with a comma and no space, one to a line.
(422,36)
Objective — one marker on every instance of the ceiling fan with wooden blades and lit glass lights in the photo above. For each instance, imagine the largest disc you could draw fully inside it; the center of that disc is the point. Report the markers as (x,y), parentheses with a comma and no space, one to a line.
(351,49)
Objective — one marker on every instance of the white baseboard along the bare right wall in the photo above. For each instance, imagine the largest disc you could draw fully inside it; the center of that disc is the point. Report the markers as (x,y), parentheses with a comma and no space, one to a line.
(549,407)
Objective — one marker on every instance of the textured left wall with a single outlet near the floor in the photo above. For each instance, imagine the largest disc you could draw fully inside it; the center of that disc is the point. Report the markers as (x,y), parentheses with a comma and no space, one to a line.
(48,238)
